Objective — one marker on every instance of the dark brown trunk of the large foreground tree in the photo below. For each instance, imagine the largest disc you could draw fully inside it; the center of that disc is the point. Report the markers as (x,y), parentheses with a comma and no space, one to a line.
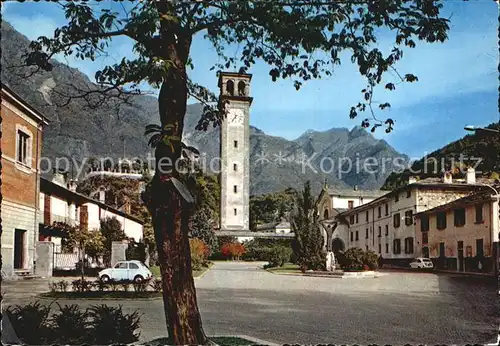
(170,213)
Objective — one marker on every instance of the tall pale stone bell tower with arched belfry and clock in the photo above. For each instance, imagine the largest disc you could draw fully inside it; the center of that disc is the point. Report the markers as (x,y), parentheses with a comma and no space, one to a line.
(234,151)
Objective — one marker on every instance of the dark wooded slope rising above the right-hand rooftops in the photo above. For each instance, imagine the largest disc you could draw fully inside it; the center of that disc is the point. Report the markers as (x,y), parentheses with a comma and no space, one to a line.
(480,150)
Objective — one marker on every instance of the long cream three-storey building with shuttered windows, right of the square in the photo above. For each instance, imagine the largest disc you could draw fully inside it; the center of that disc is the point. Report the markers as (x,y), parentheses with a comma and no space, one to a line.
(387,224)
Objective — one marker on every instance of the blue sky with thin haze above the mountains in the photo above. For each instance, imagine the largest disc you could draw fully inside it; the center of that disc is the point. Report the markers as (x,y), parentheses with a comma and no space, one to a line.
(458,80)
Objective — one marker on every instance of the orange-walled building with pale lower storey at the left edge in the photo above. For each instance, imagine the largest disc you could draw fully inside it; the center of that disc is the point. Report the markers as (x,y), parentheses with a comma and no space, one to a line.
(22,127)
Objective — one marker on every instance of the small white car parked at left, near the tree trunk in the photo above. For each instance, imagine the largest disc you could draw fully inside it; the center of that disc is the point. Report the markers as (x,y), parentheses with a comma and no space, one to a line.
(134,271)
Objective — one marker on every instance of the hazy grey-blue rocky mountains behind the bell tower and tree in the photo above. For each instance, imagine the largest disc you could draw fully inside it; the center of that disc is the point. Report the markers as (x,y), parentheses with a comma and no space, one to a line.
(276,163)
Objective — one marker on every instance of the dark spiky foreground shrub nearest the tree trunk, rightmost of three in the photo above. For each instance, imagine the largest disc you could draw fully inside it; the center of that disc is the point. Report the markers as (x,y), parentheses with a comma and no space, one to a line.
(110,325)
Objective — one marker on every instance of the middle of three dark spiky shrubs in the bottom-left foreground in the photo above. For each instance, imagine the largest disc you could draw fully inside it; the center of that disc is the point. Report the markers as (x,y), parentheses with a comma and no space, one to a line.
(70,324)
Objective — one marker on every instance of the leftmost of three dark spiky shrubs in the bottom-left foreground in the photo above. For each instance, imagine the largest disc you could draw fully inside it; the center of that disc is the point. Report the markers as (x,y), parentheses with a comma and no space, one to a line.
(30,322)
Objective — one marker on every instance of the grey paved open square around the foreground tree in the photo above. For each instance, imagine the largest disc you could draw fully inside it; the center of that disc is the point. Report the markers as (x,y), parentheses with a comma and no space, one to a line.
(397,308)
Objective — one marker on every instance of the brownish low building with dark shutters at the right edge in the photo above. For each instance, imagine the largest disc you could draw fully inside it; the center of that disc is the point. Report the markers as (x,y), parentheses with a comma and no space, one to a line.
(461,235)
